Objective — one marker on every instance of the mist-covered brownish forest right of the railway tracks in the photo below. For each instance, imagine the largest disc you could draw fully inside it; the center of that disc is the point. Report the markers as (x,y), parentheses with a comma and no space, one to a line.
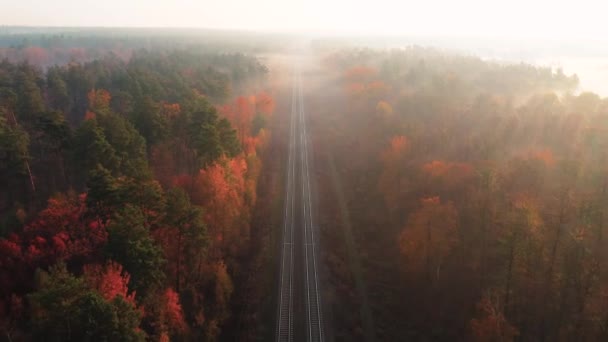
(471,198)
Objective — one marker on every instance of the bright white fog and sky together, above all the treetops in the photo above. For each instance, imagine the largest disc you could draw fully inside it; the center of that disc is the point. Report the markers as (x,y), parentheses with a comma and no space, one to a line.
(546,33)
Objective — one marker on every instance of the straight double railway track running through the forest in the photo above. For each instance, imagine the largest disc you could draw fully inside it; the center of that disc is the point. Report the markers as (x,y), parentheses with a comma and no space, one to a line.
(299,293)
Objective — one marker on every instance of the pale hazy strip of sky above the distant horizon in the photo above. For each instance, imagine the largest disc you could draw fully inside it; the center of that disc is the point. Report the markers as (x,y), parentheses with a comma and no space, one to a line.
(518,18)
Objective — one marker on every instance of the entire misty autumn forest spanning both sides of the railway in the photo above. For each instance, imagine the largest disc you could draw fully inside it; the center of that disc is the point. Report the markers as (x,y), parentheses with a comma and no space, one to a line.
(148,182)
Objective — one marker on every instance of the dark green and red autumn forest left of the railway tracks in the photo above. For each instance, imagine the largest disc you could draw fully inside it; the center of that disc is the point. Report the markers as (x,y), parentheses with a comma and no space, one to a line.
(129,185)
